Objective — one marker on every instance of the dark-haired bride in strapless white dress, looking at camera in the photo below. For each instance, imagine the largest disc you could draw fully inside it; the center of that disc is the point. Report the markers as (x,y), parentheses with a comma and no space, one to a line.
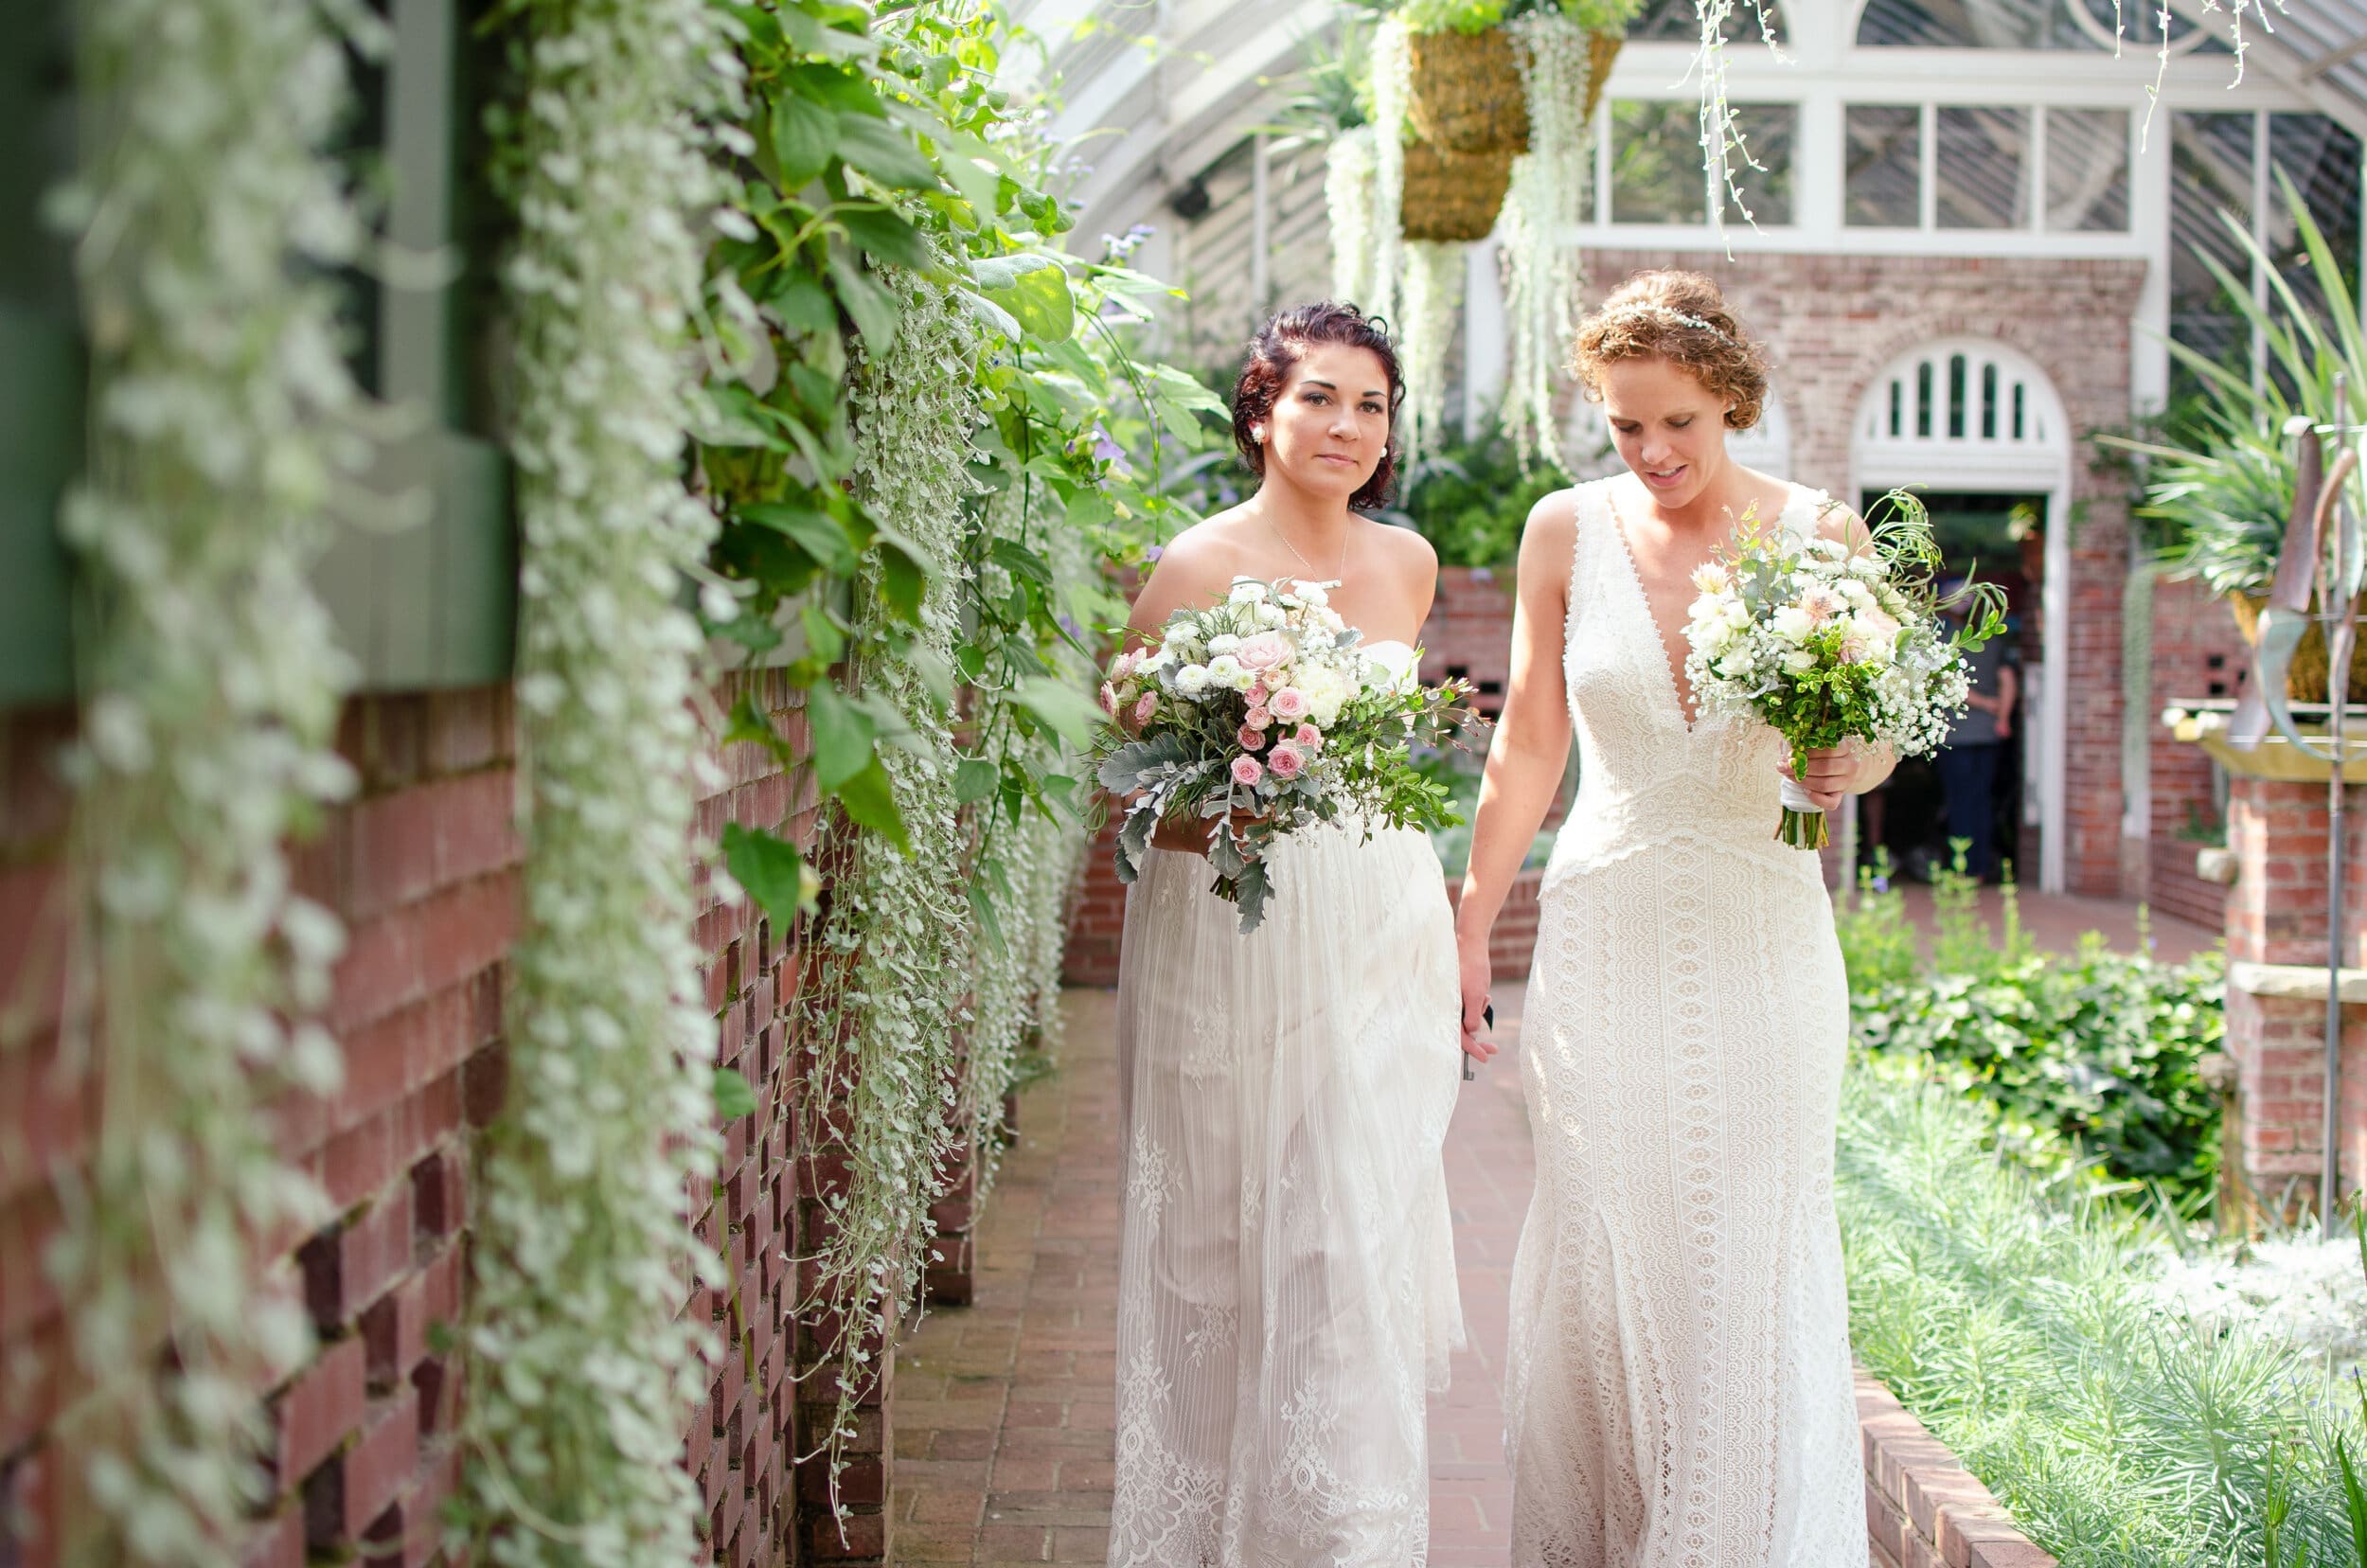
(1286,1273)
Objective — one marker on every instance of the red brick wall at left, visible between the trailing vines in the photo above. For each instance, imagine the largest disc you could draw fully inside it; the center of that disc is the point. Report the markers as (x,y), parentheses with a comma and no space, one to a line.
(425,870)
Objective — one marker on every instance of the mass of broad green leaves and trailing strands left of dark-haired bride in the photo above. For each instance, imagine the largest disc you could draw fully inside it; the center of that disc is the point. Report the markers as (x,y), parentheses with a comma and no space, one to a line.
(912,397)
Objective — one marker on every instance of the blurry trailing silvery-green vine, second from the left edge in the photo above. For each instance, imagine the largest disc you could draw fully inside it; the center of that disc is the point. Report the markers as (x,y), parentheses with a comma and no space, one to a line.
(583,1361)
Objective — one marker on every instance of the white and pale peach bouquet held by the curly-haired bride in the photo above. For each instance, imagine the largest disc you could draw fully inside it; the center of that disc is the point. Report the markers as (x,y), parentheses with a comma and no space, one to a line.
(1831,643)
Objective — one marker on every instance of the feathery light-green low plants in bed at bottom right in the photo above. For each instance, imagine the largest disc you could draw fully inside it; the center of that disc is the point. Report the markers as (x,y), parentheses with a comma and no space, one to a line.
(2020,1318)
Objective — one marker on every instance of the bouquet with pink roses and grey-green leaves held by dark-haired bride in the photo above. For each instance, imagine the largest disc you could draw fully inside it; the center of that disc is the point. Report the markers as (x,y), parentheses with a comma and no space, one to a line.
(1268,716)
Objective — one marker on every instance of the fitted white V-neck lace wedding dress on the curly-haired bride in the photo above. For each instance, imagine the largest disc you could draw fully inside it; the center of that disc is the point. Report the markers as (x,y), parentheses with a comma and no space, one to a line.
(1679,1375)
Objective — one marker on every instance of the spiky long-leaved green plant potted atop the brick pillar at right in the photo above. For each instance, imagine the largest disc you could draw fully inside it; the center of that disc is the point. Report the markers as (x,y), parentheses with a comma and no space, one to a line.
(2221,480)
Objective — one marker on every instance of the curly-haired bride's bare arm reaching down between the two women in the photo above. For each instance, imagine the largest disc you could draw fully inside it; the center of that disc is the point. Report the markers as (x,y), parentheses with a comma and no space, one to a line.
(1530,752)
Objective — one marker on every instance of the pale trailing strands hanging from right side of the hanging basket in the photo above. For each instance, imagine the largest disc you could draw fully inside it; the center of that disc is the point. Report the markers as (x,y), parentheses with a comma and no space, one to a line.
(1540,212)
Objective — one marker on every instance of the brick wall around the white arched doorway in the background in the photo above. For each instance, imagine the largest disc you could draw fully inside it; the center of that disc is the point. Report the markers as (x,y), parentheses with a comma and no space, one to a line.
(1833,323)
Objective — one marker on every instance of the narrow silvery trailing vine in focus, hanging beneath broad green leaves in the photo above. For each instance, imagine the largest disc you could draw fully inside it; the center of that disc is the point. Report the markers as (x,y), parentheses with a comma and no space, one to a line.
(882,998)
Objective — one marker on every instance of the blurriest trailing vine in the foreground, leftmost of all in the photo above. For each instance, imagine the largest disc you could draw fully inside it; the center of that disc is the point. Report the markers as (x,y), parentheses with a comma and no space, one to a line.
(224,428)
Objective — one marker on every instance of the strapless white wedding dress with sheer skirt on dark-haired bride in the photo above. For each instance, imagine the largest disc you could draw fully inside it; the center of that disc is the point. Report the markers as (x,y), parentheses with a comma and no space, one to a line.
(1286,1278)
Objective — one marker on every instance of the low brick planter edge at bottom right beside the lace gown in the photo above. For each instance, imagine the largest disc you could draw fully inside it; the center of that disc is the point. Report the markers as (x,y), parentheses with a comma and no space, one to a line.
(1923,1508)
